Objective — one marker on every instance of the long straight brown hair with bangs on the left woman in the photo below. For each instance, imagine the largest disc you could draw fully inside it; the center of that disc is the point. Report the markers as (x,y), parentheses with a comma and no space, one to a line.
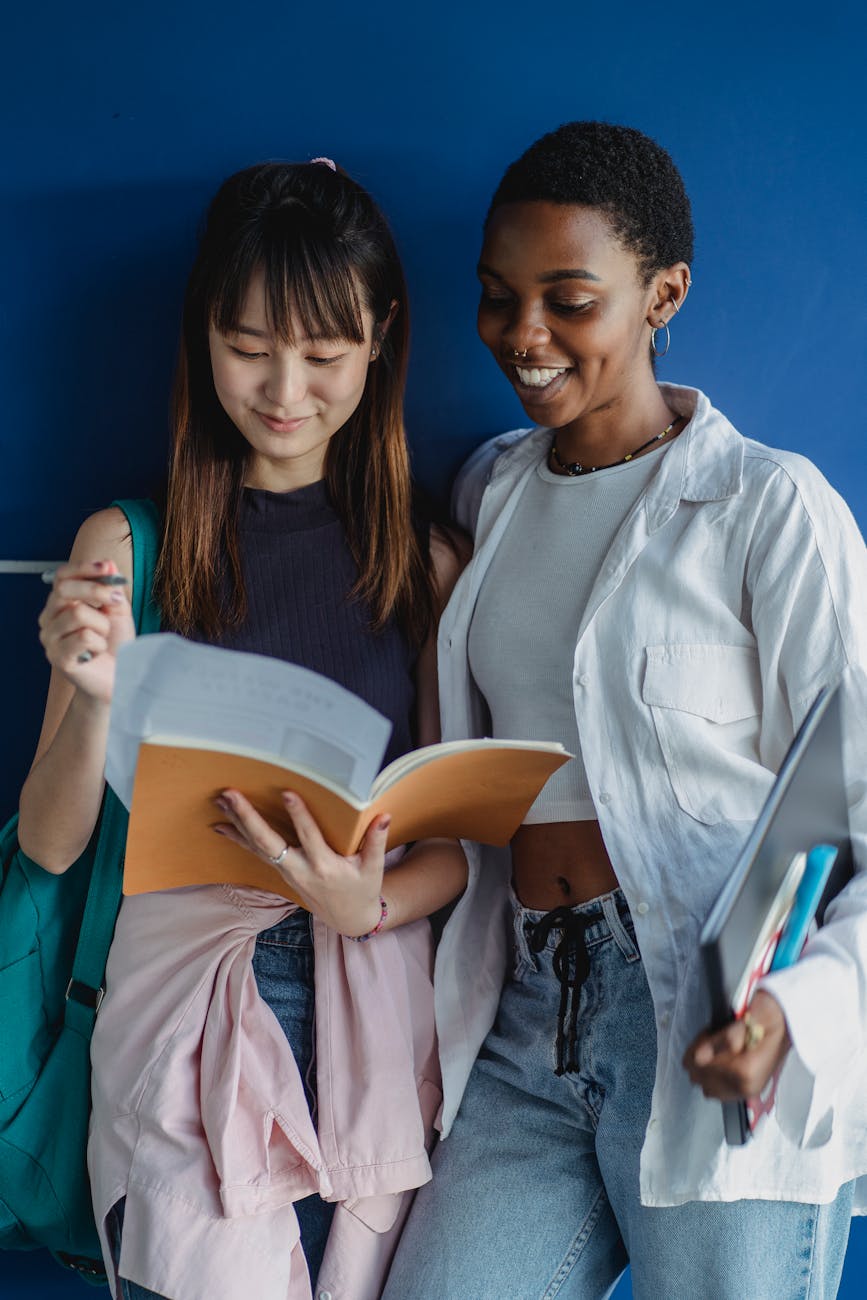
(327,254)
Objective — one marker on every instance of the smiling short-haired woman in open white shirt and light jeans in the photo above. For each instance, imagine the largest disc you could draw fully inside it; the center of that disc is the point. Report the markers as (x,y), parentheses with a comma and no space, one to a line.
(666,599)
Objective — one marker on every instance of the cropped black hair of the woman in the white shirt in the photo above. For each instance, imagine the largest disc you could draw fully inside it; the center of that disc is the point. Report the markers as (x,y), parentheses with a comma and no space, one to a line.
(617,170)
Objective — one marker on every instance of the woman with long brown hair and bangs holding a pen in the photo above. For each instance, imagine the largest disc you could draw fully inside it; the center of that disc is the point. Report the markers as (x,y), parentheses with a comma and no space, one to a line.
(289,530)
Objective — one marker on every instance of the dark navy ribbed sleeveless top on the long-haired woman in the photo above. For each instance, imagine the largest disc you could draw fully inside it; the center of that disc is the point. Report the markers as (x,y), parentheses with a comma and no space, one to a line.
(300,573)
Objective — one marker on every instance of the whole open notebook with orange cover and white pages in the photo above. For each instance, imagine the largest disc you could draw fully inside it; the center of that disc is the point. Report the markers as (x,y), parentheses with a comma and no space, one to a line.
(190,722)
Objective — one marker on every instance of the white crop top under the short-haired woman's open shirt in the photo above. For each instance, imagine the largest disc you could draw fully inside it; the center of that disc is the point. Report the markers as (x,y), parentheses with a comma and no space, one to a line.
(526,622)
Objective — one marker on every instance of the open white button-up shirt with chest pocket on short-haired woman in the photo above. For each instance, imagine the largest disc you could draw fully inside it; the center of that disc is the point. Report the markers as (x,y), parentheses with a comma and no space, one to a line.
(734,592)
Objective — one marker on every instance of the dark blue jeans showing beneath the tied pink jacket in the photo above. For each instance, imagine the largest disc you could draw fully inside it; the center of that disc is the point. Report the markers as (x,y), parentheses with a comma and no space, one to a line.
(284,970)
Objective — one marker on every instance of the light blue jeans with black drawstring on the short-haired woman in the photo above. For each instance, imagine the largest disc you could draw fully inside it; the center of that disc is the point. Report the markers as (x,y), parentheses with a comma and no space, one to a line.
(535,1194)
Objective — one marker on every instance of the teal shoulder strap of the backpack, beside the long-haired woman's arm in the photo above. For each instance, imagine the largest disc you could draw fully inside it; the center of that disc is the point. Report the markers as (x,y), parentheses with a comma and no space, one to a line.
(85,990)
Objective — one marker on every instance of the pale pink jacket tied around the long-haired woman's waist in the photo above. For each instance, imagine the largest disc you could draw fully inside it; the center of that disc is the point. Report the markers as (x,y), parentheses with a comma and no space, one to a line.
(200,1111)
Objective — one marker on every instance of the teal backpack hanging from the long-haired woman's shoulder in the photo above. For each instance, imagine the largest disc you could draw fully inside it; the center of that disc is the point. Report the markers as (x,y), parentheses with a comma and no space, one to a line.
(55,934)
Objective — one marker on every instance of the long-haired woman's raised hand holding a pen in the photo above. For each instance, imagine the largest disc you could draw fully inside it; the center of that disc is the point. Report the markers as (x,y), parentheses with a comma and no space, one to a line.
(86,618)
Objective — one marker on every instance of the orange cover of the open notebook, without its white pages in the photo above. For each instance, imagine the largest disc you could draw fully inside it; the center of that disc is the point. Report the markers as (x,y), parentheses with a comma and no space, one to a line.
(478,795)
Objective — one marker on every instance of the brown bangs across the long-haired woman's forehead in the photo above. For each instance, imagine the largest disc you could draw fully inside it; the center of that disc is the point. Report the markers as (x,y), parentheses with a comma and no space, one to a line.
(310,284)
